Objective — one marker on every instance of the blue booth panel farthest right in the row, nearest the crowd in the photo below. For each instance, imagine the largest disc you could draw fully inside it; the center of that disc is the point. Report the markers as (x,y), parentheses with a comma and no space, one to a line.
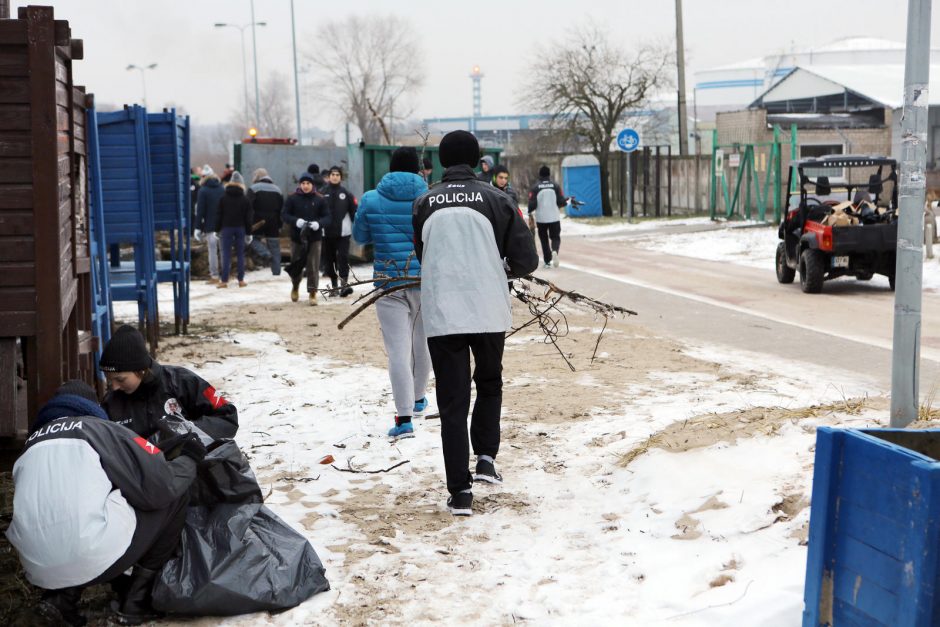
(169,159)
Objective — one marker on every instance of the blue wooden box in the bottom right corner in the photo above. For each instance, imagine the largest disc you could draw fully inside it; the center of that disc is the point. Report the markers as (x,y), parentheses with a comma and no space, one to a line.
(874,537)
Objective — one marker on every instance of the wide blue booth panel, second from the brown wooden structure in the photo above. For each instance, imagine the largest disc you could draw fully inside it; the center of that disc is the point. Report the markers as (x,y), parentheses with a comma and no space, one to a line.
(128,210)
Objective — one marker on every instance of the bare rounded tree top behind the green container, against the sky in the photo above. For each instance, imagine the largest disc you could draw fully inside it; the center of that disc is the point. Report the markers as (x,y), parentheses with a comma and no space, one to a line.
(370,68)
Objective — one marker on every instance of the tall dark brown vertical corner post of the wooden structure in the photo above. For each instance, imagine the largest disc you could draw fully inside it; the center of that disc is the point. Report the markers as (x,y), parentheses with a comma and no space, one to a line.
(42,59)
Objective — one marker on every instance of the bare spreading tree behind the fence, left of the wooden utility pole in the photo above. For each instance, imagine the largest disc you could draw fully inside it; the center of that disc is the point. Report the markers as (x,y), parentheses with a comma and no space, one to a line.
(589,87)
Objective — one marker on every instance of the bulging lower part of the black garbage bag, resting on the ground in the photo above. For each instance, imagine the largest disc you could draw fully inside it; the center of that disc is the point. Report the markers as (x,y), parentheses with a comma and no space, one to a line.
(238,559)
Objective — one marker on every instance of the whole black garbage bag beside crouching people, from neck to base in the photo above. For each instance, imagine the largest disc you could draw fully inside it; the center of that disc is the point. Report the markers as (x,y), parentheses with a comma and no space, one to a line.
(236,555)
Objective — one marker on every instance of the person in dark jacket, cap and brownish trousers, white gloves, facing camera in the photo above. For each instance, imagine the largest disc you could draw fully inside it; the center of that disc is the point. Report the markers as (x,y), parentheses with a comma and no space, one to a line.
(307,214)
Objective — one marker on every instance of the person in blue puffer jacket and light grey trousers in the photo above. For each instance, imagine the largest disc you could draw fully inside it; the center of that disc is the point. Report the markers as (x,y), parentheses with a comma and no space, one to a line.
(384,219)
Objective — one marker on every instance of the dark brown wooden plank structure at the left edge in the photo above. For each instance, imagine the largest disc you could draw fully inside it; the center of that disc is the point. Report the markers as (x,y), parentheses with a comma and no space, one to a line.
(45,292)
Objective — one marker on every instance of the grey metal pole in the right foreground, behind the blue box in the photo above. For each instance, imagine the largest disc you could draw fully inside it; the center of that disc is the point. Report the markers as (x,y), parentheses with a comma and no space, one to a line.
(905,357)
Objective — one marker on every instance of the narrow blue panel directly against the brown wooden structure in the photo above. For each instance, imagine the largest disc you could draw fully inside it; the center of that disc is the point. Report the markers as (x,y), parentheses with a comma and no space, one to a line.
(102,314)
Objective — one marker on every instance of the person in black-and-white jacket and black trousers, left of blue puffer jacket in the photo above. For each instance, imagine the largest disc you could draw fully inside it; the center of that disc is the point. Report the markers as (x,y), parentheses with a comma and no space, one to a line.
(335,255)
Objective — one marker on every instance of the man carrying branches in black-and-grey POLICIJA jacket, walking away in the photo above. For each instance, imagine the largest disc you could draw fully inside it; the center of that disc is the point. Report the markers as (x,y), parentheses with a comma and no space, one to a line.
(467,233)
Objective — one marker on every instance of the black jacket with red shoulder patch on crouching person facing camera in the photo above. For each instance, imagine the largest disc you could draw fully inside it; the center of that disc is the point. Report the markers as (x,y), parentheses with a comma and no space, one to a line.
(172,391)
